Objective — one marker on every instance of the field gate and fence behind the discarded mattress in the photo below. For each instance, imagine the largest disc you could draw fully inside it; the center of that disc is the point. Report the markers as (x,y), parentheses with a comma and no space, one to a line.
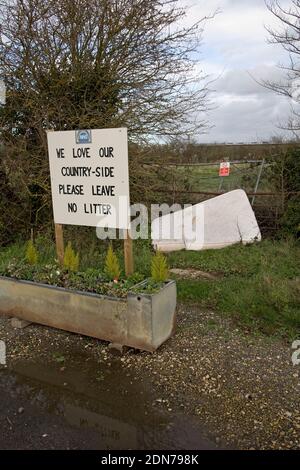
(192,183)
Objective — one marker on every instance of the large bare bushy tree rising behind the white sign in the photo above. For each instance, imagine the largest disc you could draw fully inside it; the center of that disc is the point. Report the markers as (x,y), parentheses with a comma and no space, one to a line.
(73,64)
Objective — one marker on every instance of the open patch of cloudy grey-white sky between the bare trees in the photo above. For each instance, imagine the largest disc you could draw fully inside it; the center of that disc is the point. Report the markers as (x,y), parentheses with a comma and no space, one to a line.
(235,47)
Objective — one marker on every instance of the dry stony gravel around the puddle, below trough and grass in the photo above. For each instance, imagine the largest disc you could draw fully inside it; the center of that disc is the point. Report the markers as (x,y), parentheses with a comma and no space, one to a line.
(242,389)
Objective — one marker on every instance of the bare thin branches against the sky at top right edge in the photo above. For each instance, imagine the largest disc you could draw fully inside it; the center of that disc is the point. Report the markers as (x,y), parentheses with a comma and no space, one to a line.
(287,35)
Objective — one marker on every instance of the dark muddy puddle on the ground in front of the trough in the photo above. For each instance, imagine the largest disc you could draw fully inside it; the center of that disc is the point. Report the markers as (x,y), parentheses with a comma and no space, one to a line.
(108,406)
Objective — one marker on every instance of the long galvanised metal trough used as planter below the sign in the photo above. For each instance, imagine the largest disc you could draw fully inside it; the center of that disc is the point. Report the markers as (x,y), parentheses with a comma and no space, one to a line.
(142,321)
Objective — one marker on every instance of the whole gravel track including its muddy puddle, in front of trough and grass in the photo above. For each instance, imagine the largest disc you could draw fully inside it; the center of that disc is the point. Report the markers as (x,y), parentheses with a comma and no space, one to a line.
(211,385)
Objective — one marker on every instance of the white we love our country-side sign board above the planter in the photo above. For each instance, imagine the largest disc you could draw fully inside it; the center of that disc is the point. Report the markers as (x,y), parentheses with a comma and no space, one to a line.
(89,177)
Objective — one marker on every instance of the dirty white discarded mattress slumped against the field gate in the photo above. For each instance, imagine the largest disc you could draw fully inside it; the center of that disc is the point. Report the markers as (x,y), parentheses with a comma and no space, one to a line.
(219,222)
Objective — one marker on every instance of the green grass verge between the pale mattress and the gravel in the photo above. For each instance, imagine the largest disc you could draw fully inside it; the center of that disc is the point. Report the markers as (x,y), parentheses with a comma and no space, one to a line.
(260,285)
